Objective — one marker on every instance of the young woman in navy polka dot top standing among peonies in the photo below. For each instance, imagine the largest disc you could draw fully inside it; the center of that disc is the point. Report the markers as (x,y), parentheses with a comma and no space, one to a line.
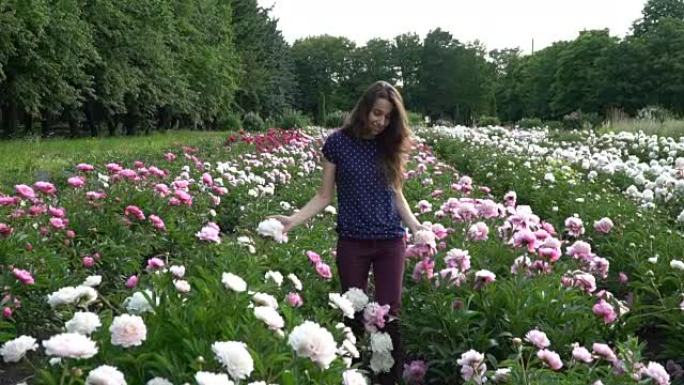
(365,160)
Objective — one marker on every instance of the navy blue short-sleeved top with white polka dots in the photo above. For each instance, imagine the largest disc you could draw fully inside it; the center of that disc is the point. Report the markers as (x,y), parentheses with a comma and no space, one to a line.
(366,208)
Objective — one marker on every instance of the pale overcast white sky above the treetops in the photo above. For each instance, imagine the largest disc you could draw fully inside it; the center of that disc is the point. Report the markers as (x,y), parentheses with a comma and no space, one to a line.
(497,23)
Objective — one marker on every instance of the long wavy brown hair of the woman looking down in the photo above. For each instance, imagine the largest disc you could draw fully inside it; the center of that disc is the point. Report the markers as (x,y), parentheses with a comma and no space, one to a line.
(394,140)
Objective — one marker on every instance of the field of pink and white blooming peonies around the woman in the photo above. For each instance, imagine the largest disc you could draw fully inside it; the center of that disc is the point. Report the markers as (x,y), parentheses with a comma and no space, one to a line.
(552,259)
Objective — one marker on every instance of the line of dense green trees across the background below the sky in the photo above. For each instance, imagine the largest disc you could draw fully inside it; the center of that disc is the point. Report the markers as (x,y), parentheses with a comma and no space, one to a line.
(136,66)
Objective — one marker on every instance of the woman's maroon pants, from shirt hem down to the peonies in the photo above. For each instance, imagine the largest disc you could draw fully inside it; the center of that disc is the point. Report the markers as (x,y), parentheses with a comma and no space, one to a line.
(355,257)
